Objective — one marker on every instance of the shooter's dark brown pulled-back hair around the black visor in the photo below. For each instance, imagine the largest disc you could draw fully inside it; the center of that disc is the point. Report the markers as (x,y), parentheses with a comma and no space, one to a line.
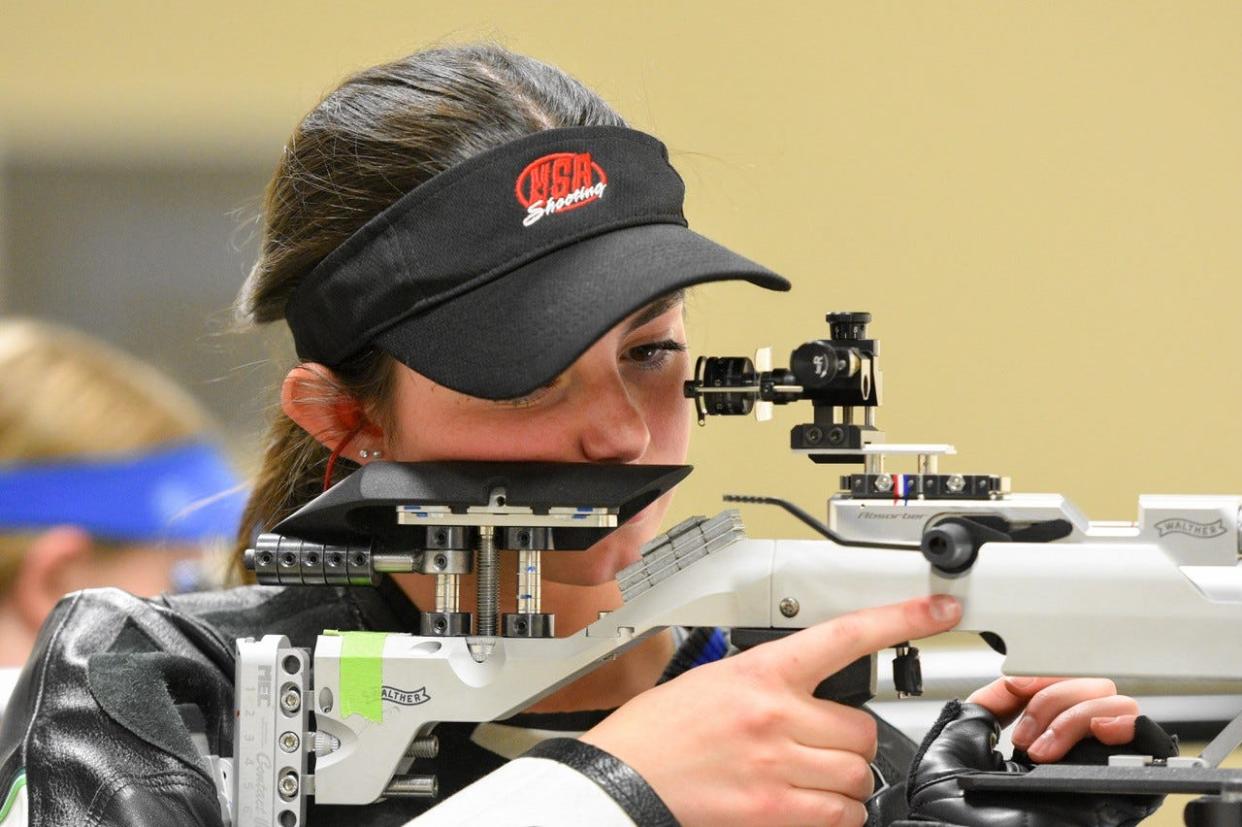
(377,137)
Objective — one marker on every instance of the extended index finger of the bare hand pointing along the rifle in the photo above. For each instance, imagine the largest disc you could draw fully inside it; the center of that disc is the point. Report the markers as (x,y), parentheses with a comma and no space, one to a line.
(810,656)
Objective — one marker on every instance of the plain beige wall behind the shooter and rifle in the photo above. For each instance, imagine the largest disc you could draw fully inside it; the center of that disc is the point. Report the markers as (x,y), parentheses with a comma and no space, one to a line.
(1039,202)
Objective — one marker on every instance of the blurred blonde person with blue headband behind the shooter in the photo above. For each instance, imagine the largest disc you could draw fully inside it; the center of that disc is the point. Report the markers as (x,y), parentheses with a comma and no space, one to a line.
(109,477)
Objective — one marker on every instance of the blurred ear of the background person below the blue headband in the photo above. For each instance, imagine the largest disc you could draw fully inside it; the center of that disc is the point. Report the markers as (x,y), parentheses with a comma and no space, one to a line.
(50,569)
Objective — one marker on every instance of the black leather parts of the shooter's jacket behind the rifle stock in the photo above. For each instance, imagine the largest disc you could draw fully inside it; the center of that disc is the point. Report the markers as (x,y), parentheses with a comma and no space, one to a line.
(110,717)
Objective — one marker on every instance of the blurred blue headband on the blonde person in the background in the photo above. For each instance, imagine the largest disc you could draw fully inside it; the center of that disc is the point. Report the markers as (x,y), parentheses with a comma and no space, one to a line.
(182,494)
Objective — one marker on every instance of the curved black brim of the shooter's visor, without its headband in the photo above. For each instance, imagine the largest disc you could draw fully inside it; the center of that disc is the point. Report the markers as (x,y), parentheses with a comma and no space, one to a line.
(517,333)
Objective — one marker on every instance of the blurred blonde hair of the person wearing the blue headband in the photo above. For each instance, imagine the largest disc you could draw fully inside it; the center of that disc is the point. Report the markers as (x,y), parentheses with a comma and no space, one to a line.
(66,395)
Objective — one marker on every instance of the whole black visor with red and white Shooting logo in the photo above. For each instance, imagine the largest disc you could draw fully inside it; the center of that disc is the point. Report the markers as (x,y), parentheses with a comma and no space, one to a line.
(496,275)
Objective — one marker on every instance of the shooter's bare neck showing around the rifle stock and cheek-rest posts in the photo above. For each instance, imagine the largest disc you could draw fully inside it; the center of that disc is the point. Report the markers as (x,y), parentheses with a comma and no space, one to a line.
(608,686)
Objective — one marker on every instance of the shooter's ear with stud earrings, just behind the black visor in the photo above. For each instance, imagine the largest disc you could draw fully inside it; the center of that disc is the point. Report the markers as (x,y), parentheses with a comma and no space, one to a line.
(314,398)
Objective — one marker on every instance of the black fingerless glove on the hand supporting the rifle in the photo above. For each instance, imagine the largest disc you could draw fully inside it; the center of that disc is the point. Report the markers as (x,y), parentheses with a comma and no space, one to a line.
(962,743)
